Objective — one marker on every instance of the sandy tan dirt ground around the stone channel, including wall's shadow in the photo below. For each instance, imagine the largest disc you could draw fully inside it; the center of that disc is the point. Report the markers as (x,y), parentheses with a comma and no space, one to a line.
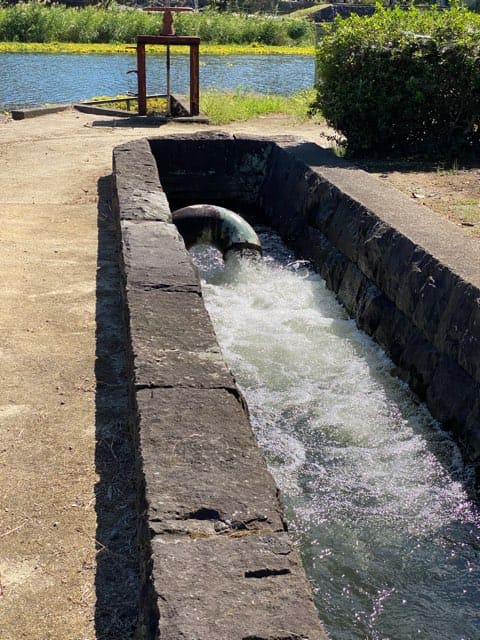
(67,558)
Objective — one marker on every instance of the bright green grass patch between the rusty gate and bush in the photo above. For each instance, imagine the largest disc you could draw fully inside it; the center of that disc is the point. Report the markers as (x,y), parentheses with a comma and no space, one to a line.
(222,107)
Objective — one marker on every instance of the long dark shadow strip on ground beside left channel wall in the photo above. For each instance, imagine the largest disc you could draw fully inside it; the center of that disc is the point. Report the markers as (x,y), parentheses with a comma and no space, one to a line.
(117,576)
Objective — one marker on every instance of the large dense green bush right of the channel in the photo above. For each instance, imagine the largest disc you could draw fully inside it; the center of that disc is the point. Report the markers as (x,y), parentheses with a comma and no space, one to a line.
(403,82)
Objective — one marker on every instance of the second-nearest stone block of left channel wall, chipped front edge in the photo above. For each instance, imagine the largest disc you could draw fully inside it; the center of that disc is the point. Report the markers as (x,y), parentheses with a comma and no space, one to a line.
(201,462)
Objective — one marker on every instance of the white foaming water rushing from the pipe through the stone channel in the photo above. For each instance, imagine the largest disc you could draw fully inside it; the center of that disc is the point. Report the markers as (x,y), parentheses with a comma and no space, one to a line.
(374,490)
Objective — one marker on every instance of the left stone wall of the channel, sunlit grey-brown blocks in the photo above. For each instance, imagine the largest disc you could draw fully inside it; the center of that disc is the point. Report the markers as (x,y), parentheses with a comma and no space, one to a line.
(217,561)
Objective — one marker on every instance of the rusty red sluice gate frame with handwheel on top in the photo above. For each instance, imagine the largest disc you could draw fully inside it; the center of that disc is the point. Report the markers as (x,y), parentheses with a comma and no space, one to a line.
(169,38)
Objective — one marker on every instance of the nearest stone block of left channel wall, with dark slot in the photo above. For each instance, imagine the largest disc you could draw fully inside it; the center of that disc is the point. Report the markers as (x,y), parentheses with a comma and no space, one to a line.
(247,588)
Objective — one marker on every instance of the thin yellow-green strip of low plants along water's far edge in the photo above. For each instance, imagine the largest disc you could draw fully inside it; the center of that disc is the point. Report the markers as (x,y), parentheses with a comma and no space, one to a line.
(112,48)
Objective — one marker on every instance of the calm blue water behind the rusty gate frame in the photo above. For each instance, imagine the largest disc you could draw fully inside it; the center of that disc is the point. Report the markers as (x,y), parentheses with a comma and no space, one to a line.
(30,79)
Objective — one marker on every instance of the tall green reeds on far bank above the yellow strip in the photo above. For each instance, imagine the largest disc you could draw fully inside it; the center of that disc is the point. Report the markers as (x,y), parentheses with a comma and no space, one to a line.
(36,22)
